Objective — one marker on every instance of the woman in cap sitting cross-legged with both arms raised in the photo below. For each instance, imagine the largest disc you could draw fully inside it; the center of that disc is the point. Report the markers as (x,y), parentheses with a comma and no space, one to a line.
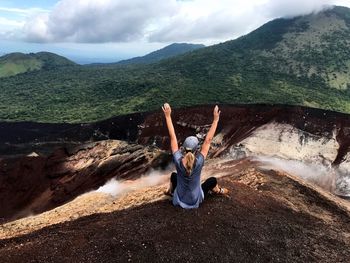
(185,184)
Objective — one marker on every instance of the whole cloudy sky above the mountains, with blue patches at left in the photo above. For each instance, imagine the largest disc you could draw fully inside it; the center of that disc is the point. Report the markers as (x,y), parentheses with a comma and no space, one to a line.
(110,30)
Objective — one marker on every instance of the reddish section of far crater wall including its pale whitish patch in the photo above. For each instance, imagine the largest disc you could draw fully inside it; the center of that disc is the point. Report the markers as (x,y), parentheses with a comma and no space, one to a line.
(290,132)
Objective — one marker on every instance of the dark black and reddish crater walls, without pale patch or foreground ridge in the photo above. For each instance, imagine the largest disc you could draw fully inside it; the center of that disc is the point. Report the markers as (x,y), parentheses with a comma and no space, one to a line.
(58,175)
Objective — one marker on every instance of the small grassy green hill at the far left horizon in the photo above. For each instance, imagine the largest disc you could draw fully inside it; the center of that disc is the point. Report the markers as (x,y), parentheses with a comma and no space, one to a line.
(17,63)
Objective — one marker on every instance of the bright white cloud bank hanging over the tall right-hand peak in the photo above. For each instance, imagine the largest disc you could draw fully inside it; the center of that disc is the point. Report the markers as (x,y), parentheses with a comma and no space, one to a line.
(214,21)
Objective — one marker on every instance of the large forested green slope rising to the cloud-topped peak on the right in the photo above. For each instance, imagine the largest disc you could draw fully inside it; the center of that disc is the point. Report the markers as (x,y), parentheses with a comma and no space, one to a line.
(299,61)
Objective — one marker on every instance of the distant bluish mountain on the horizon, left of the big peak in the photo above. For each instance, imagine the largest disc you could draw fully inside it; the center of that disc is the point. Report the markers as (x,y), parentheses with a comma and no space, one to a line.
(166,52)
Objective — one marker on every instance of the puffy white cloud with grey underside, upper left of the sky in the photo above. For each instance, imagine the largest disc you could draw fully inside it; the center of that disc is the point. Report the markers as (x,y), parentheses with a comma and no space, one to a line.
(98,21)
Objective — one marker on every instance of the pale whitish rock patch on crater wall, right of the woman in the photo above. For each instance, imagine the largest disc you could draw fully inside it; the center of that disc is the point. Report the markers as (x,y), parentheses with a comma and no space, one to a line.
(288,142)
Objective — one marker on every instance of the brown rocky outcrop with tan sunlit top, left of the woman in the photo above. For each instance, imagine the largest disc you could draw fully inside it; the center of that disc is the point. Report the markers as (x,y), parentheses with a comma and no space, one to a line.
(35,184)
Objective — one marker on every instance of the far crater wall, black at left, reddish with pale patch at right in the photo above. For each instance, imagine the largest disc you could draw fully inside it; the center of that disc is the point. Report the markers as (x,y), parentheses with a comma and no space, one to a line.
(290,126)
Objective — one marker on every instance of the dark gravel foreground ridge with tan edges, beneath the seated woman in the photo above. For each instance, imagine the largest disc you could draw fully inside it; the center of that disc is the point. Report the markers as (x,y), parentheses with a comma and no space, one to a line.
(268,216)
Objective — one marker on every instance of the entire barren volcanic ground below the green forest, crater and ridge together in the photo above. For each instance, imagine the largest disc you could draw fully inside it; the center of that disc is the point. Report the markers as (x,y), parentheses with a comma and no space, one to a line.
(50,211)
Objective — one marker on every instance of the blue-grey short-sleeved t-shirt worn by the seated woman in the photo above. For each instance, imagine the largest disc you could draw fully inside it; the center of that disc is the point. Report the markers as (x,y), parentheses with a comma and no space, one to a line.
(188,192)
